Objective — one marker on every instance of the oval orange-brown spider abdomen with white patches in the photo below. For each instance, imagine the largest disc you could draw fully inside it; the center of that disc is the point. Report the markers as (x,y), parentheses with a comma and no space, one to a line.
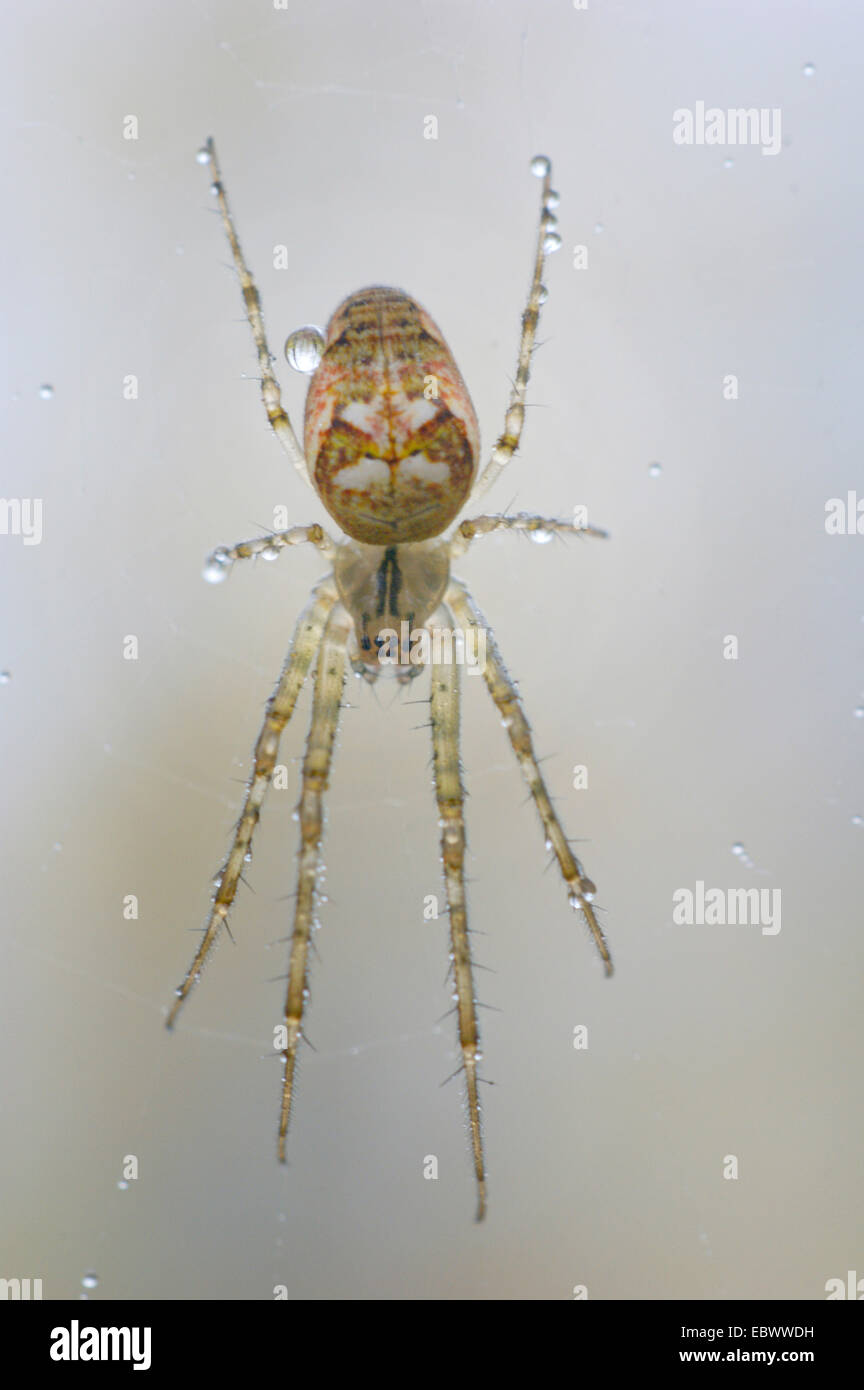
(392,440)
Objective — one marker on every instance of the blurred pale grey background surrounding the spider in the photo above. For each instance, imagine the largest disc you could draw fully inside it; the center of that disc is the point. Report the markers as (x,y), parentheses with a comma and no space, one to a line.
(606,1166)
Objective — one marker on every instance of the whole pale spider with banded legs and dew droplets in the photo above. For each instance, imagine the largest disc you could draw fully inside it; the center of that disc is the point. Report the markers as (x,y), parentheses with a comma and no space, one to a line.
(392,450)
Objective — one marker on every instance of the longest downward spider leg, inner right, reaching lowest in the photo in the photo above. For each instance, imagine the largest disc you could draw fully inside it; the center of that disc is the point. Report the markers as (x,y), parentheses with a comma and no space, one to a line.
(451,811)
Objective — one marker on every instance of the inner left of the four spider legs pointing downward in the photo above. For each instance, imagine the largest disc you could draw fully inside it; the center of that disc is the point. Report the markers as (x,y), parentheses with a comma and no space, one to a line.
(327,703)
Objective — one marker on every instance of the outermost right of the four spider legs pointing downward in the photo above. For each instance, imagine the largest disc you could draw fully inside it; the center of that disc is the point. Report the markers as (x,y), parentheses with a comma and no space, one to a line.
(581,890)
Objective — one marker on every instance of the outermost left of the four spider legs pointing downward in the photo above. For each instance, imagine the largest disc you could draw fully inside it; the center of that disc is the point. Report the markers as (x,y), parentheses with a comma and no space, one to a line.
(280,710)
